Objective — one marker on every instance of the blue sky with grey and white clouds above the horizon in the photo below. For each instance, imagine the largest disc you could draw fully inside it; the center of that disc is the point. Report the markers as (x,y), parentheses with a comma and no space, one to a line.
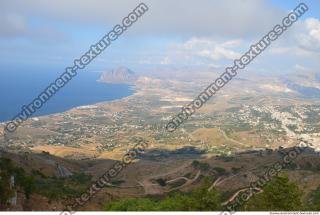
(207,33)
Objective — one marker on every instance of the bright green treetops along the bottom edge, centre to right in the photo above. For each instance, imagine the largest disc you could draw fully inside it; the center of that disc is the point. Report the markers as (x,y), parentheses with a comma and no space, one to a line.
(278,195)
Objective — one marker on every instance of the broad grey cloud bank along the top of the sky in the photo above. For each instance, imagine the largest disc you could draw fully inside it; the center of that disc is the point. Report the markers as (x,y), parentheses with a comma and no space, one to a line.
(196,18)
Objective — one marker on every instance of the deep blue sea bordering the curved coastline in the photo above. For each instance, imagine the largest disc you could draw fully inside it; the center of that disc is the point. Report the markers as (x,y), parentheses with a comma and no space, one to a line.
(20,87)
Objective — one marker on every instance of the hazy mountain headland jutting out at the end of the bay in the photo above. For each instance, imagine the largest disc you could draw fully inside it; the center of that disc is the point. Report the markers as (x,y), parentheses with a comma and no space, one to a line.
(119,75)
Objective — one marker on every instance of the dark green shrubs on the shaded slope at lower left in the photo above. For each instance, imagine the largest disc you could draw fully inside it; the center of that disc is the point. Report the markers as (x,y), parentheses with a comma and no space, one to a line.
(37,182)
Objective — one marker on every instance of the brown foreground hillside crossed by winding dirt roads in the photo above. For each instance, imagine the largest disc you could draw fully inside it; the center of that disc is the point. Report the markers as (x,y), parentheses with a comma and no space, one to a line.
(153,175)
